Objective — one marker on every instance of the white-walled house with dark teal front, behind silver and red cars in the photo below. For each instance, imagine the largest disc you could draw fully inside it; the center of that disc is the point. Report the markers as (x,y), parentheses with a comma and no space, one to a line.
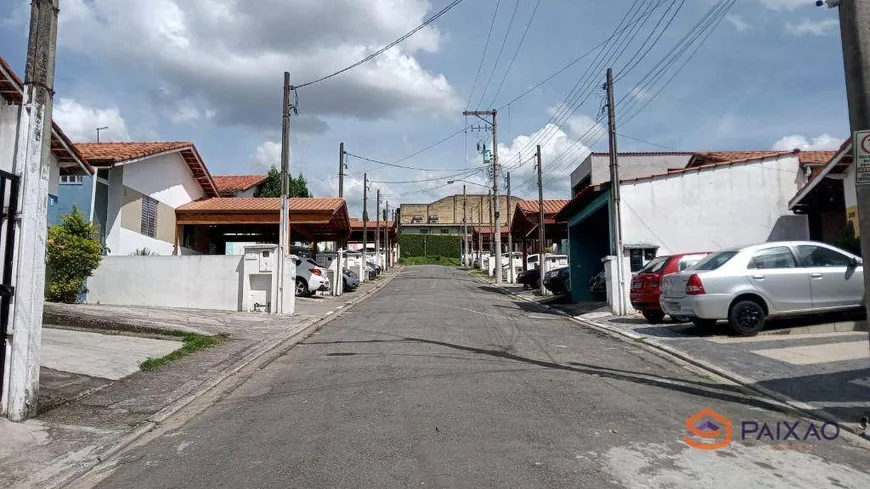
(718,200)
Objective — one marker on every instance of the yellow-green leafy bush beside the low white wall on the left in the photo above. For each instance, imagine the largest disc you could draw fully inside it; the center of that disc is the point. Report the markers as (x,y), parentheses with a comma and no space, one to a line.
(72,255)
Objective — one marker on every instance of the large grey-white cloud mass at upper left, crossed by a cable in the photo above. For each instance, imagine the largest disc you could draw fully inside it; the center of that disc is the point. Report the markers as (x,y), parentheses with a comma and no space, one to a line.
(230,55)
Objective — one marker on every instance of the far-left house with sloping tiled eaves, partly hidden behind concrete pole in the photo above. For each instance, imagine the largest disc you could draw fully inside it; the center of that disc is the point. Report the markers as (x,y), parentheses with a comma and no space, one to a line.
(65,162)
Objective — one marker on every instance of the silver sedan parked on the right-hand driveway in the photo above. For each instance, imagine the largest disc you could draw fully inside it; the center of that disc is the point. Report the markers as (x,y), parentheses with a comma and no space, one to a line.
(747,285)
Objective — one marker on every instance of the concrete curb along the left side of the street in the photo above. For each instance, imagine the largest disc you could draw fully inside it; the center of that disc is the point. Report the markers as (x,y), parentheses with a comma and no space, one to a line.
(280,344)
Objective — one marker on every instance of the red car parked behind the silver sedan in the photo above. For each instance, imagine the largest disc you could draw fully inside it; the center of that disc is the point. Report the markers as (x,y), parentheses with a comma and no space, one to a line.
(645,285)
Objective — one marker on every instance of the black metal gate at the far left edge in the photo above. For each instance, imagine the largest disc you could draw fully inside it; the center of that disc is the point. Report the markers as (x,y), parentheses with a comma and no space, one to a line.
(8,210)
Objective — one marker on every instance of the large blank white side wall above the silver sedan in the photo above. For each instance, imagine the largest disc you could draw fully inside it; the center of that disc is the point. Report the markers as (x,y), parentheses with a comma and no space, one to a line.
(709,209)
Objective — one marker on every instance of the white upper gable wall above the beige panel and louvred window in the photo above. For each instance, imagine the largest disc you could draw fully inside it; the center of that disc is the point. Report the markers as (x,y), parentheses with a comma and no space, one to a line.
(165,178)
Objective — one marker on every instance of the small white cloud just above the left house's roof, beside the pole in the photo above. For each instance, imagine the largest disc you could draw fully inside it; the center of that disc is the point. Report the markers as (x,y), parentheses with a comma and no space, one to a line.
(80,122)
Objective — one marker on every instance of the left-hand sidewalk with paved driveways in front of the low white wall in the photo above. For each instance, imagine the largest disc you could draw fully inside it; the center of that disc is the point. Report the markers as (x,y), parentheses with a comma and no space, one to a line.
(89,416)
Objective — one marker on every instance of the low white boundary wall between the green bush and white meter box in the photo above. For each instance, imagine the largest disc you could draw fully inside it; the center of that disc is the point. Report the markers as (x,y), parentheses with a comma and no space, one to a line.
(200,282)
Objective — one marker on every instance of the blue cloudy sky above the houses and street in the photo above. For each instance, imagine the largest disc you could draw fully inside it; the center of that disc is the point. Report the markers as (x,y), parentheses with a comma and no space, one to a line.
(769,76)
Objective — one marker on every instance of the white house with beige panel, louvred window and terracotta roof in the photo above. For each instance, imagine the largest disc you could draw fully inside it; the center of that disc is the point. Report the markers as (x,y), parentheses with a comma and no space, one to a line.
(139,186)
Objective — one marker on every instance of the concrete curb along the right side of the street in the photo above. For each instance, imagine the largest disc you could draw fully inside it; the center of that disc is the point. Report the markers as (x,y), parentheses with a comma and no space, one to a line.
(656,347)
